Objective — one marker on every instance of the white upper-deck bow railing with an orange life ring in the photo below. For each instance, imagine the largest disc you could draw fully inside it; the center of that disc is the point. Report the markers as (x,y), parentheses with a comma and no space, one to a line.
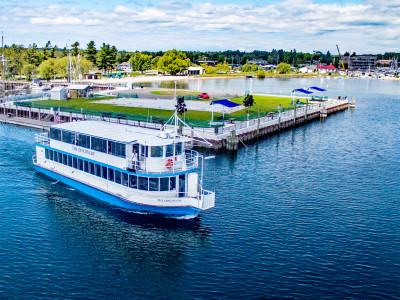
(174,164)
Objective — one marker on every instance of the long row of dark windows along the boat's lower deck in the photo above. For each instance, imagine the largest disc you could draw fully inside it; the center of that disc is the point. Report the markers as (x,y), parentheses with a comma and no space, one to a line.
(133,181)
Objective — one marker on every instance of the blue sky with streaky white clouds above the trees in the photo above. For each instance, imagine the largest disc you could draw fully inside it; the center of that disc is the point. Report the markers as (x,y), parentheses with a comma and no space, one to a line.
(362,26)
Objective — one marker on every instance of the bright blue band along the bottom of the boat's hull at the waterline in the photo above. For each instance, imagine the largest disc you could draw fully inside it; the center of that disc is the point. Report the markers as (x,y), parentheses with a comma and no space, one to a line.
(105,197)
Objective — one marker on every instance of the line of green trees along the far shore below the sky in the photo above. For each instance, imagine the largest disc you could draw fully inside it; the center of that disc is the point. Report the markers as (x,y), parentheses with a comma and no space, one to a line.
(53,62)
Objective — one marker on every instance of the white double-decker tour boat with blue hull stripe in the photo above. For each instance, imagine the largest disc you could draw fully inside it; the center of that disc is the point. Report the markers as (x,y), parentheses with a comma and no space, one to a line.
(97,158)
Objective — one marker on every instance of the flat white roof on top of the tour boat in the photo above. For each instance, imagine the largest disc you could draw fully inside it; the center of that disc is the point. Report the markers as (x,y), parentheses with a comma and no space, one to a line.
(120,132)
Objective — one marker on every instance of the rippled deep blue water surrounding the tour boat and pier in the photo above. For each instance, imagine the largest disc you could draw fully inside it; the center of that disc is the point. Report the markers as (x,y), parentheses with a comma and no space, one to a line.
(310,213)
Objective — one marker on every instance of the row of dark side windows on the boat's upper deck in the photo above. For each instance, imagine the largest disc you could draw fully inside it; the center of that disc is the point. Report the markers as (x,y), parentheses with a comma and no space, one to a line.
(89,142)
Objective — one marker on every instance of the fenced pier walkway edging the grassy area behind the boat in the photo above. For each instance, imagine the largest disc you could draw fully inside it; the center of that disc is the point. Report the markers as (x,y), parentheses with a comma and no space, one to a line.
(227,136)
